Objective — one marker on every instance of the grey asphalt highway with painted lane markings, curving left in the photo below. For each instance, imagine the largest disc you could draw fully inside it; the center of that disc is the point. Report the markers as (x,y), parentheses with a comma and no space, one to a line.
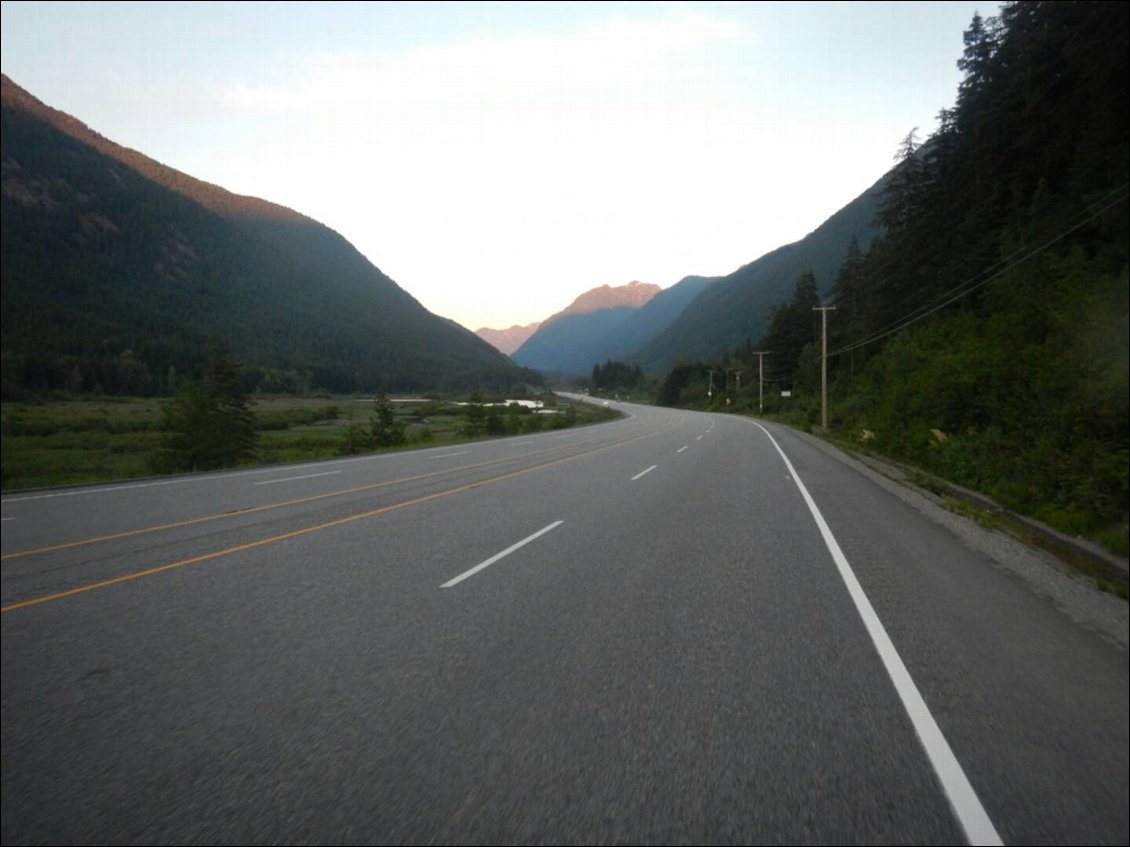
(677,628)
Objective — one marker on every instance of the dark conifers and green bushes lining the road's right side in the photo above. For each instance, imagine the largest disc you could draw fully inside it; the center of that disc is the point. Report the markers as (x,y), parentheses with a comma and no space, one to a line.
(984,336)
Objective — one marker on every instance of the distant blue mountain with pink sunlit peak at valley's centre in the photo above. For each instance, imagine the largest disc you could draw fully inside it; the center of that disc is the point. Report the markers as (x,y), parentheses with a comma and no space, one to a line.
(570,342)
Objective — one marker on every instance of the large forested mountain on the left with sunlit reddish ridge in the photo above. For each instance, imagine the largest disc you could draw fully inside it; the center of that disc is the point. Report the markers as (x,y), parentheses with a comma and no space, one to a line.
(117,272)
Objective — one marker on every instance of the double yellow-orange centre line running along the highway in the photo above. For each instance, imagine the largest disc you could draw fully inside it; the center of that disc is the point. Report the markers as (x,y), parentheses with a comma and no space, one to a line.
(295,534)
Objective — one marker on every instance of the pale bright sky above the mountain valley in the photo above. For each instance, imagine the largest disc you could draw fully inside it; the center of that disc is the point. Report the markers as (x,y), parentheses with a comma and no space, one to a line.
(499,160)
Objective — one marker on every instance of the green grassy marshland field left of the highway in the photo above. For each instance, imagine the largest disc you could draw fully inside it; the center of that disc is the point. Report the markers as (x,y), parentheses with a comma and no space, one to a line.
(67,442)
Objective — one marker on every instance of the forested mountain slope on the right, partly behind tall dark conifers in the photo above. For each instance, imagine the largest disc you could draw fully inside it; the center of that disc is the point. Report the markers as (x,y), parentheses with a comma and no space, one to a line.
(738,307)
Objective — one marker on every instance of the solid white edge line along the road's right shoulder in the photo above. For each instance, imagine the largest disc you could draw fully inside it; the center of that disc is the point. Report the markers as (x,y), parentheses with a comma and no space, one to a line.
(963,799)
